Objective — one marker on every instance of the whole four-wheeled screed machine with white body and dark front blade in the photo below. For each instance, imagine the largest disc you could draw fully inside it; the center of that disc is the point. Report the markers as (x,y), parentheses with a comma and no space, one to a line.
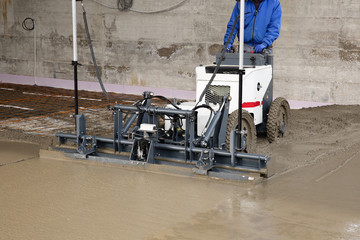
(216,135)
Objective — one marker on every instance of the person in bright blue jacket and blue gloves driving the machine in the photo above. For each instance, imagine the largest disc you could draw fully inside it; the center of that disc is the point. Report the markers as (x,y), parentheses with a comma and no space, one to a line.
(261,25)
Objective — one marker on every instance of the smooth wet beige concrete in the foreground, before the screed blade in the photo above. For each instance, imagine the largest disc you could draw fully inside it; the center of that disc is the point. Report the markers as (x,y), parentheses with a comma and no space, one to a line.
(42,198)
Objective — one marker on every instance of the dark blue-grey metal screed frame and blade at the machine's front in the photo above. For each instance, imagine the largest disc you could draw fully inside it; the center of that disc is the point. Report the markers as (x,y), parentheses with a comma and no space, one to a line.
(144,141)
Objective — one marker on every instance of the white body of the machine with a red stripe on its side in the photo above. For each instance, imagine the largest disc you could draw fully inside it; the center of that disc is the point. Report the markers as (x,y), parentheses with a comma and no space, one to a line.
(255,84)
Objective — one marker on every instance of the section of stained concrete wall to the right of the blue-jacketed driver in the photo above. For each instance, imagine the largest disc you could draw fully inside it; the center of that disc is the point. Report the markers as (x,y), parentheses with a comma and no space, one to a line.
(318,53)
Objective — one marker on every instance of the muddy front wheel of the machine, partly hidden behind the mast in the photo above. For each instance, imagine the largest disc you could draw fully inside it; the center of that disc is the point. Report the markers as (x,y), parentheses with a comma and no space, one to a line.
(247,123)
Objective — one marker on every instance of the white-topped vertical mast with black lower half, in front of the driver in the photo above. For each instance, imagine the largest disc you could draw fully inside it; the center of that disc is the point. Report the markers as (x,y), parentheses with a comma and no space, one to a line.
(241,69)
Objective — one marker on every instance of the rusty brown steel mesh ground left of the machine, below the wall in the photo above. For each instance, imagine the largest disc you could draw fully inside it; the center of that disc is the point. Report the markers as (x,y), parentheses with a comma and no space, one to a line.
(28,111)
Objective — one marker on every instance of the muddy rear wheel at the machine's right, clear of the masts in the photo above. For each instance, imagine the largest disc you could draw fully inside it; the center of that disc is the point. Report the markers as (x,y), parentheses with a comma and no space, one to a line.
(278,119)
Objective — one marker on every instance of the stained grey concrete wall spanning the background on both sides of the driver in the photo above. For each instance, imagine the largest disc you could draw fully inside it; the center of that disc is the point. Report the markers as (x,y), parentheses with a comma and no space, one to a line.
(317,57)
